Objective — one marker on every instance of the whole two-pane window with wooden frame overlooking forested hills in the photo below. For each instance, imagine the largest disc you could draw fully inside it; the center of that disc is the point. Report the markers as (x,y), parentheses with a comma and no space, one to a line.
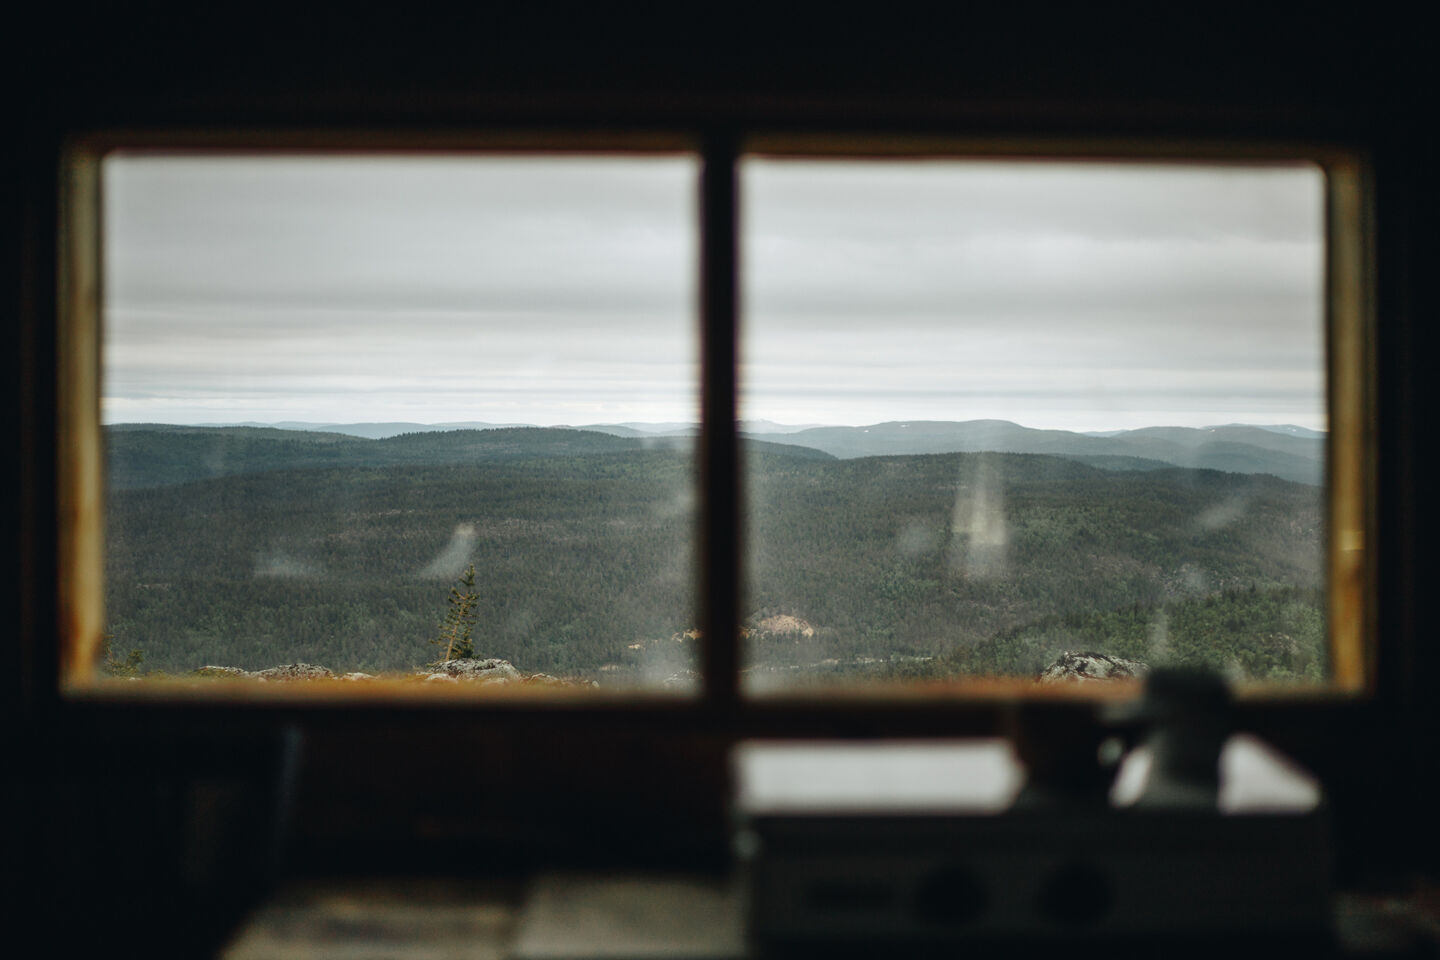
(813,286)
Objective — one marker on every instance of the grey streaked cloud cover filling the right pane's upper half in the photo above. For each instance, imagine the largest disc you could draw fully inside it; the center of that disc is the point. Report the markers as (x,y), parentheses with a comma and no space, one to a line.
(1079,296)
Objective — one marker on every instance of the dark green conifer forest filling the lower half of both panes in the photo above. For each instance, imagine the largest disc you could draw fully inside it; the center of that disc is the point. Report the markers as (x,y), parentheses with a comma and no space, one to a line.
(254,548)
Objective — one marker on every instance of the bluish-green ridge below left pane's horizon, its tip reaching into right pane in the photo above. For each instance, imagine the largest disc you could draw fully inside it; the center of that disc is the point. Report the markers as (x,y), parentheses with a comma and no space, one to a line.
(143,456)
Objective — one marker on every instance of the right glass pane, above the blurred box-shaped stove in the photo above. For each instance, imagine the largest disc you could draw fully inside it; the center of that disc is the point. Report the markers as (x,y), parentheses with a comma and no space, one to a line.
(1032,418)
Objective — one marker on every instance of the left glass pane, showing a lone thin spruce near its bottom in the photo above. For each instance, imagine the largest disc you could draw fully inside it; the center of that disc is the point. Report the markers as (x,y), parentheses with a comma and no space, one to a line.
(418,417)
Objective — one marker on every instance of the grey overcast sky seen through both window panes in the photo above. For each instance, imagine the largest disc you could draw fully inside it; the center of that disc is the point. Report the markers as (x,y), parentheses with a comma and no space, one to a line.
(564,291)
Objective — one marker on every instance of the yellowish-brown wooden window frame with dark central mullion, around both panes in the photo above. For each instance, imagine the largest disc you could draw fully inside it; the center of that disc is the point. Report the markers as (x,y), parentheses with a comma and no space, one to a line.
(1349,333)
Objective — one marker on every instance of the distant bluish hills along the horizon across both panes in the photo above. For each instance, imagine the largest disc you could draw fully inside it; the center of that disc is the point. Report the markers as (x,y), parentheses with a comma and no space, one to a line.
(146,456)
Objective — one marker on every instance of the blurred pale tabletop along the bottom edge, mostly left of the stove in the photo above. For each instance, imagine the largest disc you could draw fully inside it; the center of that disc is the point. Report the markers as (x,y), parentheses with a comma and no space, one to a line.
(640,916)
